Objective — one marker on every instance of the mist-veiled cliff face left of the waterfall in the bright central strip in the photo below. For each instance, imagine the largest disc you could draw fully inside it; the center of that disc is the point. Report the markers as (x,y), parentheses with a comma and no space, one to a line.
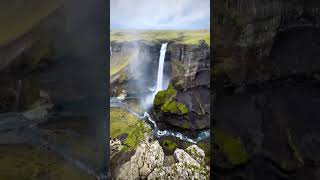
(134,67)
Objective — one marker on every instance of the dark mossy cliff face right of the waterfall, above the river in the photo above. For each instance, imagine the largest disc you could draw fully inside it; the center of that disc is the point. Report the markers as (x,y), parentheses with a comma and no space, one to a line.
(185,104)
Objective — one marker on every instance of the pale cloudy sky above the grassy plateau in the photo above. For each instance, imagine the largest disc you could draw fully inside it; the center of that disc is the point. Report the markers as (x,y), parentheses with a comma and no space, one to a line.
(160,14)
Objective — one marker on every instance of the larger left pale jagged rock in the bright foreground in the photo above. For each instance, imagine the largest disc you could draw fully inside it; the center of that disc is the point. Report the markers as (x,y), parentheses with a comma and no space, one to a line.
(148,156)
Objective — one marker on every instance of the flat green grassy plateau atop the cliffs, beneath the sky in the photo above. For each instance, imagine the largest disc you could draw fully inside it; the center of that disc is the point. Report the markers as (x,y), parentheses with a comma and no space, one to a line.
(179,36)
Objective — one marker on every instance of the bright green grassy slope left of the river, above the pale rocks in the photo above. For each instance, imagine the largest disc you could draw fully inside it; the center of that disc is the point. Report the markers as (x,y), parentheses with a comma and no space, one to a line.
(122,122)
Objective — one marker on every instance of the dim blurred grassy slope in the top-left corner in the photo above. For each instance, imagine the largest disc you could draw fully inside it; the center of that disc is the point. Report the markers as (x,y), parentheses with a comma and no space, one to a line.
(17,18)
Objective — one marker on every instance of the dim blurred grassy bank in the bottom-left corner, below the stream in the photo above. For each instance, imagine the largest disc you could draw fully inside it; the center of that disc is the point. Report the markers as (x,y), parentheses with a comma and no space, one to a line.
(22,161)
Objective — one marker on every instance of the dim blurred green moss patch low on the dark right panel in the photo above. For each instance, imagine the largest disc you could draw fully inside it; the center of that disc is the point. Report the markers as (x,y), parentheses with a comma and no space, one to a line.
(231,147)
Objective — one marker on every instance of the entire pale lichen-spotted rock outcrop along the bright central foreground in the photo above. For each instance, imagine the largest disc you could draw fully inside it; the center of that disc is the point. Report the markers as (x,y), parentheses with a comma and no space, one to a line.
(149,162)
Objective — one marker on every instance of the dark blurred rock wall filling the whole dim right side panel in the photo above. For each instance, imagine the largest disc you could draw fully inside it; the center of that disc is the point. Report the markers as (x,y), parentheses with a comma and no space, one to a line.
(266,84)
